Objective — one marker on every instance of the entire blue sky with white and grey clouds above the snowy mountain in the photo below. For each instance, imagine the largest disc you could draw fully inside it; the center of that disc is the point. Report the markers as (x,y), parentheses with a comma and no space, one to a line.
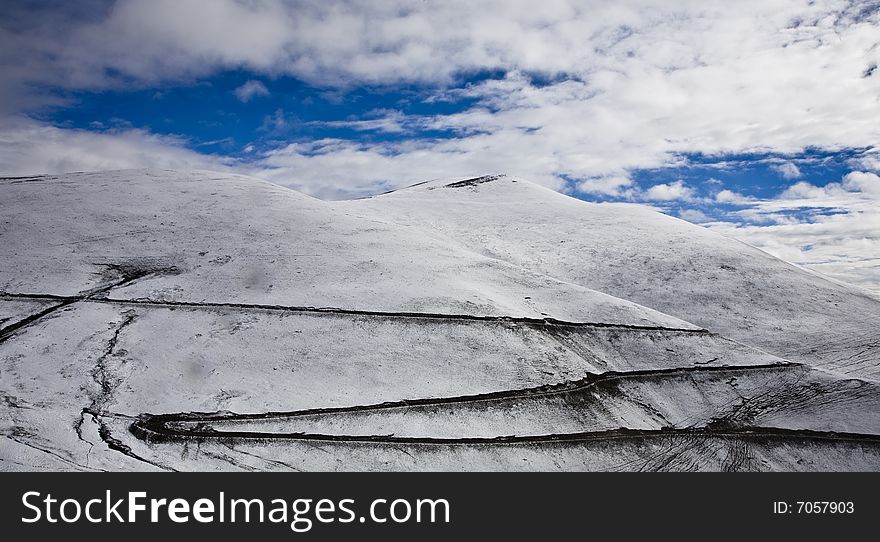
(758,120)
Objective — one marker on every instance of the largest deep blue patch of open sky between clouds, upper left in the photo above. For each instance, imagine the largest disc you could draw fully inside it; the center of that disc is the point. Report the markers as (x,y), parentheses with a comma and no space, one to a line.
(213,119)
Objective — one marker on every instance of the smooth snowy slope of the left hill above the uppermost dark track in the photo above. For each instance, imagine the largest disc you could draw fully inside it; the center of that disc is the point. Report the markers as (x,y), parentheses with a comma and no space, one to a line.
(203,237)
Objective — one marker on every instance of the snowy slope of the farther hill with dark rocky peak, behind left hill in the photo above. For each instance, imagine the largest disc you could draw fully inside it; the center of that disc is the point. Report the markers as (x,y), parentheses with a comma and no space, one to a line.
(654,260)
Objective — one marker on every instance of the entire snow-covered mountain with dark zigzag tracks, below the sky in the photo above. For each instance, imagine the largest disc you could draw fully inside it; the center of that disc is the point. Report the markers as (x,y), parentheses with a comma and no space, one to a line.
(202,321)
